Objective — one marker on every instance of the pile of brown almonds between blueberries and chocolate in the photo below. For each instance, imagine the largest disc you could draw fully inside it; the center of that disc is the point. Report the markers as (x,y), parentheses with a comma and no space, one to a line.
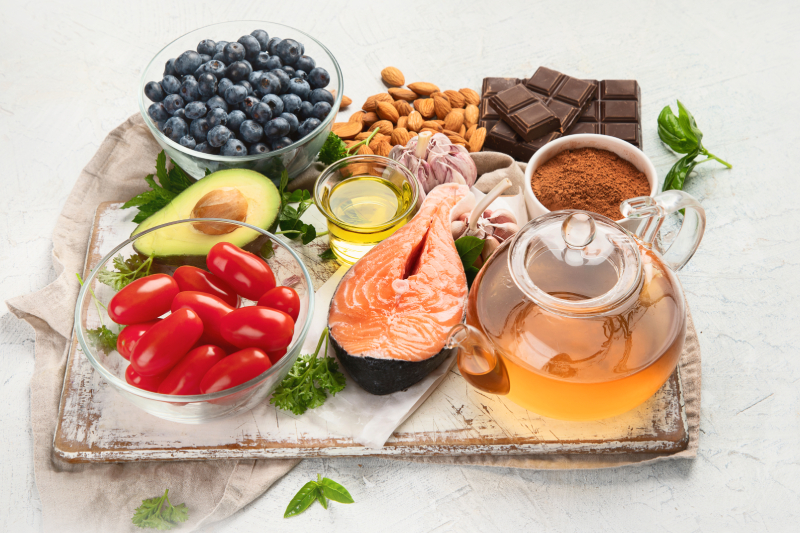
(403,112)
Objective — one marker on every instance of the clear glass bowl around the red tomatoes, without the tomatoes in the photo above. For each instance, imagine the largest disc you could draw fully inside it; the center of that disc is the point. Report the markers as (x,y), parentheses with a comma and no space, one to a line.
(285,264)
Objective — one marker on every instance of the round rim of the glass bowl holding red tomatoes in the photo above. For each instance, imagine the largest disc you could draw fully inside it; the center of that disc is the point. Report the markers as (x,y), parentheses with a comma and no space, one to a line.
(171,398)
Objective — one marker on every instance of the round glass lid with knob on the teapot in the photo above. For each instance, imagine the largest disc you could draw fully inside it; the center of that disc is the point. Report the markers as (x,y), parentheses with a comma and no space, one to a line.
(575,262)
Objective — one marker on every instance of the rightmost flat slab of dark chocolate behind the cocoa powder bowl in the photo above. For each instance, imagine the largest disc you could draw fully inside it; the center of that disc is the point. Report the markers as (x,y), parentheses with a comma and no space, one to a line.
(615,112)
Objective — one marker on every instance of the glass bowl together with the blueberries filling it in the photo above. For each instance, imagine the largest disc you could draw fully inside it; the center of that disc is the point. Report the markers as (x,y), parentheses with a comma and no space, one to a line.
(245,94)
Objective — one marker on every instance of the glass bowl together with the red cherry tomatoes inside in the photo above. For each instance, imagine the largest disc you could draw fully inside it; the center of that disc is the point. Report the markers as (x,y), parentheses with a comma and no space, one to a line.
(201,334)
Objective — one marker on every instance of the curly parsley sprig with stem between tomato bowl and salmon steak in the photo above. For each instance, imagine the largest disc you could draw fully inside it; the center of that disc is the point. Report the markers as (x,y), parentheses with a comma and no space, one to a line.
(307,382)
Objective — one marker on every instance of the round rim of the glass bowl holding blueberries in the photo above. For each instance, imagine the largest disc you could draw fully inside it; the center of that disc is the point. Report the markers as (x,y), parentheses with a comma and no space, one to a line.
(234,158)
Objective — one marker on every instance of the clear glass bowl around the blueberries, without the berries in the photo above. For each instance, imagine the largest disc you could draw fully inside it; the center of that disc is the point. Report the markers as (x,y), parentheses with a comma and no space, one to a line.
(294,158)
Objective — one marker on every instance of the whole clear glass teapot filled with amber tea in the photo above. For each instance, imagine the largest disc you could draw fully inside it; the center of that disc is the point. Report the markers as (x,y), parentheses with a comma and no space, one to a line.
(576,317)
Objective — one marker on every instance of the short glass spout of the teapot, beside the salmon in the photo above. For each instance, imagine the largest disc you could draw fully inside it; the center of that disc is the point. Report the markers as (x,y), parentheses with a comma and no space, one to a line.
(477,360)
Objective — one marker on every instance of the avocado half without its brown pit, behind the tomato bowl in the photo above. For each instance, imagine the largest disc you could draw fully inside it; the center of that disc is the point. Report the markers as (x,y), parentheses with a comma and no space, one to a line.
(183,244)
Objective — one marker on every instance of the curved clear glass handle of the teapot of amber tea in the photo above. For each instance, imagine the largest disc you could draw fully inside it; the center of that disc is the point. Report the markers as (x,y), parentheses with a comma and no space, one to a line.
(654,209)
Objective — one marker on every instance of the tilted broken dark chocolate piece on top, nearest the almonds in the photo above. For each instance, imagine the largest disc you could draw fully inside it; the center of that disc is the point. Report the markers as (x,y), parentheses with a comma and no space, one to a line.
(525,112)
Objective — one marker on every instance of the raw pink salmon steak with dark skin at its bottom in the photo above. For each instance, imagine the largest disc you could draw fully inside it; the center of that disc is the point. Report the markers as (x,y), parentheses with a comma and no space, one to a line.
(391,313)
